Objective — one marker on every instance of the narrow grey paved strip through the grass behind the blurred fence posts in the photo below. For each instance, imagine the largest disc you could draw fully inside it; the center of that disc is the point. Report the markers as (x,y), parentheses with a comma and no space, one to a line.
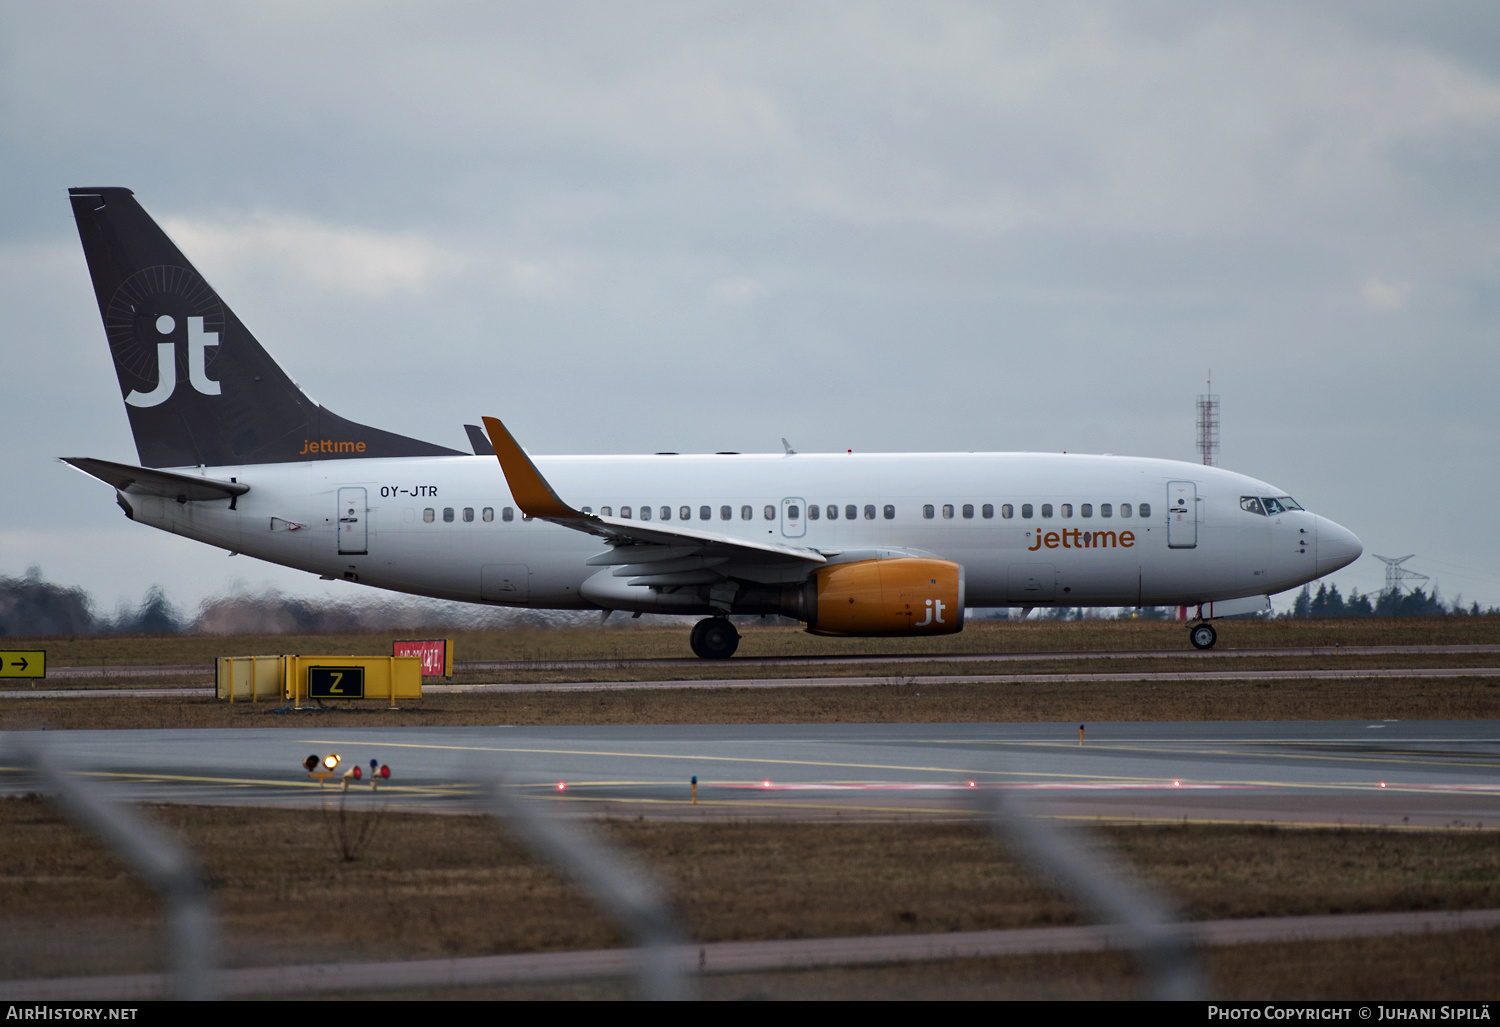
(740,957)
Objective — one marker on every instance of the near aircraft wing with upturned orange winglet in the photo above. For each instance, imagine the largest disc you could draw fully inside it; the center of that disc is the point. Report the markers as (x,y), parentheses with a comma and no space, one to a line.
(536,499)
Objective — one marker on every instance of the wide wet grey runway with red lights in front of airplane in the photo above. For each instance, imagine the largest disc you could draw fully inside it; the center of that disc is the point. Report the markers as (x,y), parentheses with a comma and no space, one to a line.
(1310,773)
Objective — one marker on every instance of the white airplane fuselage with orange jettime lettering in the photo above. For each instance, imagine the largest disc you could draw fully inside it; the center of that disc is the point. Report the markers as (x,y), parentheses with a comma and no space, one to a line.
(409,530)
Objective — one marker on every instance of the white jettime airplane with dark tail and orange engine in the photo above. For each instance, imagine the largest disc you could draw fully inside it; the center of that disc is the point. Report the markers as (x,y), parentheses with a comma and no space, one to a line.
(235,455)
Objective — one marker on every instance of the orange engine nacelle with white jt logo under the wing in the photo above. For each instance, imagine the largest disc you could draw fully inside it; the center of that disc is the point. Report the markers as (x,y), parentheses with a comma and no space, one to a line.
(905,596)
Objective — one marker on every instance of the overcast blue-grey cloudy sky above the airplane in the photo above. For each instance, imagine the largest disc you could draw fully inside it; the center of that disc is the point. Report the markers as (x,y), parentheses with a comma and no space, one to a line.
(703,227)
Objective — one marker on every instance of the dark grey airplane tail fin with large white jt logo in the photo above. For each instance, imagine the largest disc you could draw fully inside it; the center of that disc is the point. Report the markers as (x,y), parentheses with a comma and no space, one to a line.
(197,386)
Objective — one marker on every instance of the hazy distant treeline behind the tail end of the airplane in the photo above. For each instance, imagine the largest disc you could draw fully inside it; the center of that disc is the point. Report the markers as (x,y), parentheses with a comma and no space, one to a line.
(32,606)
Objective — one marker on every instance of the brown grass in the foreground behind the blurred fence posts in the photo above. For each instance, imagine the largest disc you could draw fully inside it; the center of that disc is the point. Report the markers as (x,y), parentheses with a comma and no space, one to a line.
(451,885)
